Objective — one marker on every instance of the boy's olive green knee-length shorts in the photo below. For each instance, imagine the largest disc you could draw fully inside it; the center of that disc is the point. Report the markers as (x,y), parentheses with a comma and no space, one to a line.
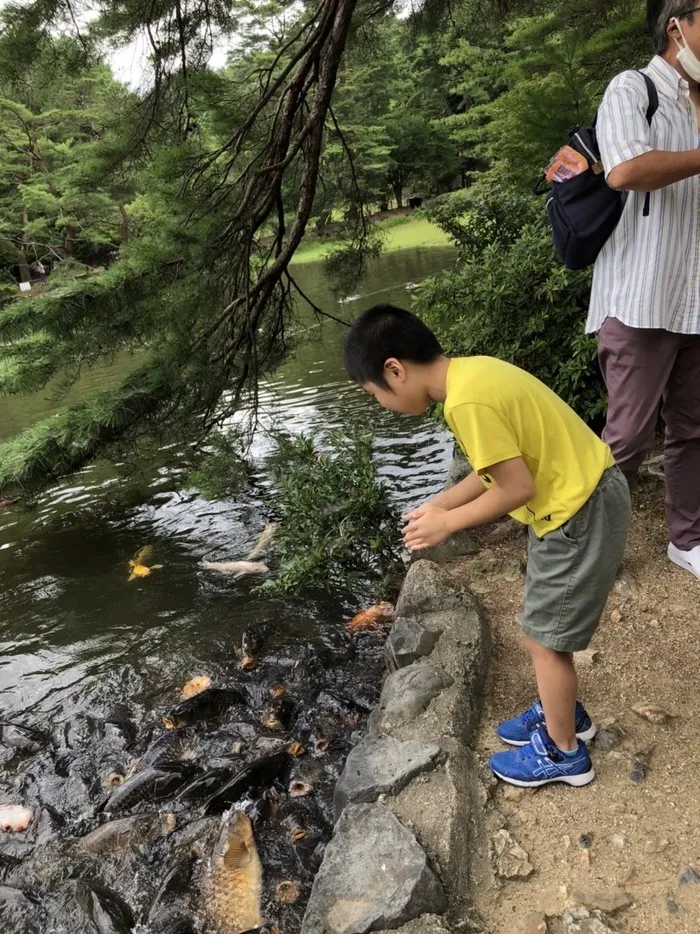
(571,571)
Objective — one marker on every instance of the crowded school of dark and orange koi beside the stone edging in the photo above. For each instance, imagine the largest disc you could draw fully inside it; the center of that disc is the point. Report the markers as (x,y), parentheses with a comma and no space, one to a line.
(208,814)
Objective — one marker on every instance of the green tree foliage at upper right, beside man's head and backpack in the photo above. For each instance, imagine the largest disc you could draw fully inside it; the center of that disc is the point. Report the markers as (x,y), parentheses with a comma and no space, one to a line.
(535,73)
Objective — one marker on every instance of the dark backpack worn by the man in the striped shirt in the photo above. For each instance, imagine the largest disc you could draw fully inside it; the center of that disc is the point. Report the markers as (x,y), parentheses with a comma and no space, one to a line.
(584,211)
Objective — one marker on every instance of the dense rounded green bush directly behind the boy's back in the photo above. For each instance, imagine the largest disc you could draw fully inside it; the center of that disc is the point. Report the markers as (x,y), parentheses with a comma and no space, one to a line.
(517,302)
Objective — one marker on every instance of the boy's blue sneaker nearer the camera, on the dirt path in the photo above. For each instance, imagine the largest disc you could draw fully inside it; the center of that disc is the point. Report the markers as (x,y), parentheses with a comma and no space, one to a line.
(540,762)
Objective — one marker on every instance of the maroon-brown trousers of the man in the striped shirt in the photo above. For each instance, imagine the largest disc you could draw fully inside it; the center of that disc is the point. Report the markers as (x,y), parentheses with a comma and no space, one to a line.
(644,369)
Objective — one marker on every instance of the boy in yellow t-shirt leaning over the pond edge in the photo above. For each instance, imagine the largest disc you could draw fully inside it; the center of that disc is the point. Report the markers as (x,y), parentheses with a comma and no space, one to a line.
(534,459)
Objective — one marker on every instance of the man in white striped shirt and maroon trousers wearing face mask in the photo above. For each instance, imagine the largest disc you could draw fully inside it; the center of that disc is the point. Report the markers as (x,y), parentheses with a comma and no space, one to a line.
(645,303)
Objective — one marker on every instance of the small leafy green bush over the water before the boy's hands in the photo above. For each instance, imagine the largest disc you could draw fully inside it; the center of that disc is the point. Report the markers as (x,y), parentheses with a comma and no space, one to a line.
(338,526)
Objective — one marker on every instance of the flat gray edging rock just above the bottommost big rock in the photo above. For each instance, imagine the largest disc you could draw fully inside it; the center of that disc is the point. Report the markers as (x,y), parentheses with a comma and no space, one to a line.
(381,765)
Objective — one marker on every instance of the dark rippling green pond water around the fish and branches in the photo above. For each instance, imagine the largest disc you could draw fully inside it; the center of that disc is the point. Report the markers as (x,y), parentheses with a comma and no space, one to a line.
(81,646)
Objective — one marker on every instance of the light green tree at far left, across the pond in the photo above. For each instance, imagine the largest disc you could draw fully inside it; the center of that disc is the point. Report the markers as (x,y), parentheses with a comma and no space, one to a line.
(53,117)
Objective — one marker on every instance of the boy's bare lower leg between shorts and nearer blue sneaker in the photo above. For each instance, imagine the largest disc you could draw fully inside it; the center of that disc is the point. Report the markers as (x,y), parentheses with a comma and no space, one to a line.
(558,688)
